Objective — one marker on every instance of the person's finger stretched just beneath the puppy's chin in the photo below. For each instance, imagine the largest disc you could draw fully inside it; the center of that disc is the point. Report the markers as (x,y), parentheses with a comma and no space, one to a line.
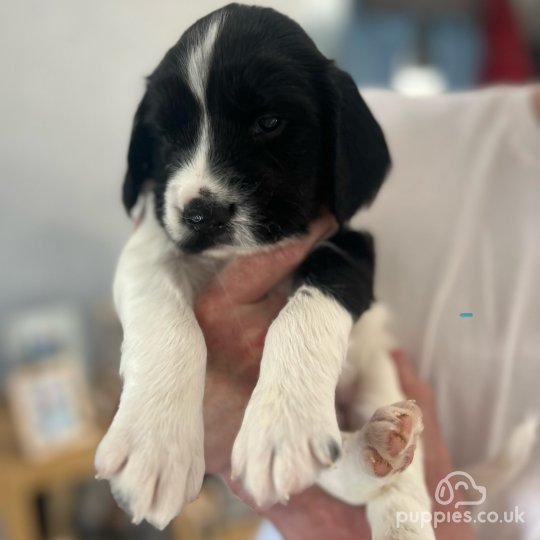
(249,278)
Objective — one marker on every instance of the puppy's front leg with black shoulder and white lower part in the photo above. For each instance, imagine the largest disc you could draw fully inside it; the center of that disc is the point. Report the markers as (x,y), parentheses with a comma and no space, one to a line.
(290,431)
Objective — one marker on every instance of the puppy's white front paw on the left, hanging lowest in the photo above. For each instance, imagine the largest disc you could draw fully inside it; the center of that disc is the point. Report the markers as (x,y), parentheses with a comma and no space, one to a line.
(154,465)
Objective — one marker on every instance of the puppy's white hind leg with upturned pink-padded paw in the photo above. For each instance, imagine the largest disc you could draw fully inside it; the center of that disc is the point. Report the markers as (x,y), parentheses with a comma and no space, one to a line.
(382,468)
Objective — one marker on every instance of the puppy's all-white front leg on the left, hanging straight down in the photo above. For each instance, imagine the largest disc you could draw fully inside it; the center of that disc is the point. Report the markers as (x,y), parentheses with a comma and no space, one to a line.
(153,451)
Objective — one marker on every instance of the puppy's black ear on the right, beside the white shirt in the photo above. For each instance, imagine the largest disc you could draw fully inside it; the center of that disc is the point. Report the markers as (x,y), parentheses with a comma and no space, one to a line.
(360,156)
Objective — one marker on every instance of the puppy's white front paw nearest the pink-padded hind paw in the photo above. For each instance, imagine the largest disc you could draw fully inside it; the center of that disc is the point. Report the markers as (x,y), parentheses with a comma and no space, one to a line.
(282,446)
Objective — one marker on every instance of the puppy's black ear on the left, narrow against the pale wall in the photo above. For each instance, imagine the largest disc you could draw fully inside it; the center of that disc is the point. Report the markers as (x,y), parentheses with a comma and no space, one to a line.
(140,156)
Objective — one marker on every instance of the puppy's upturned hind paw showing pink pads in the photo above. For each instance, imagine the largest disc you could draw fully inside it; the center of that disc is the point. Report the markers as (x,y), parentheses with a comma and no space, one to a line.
(391,437)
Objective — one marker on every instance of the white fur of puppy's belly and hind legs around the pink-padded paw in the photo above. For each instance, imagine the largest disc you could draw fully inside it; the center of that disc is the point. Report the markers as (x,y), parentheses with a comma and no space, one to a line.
(371,375)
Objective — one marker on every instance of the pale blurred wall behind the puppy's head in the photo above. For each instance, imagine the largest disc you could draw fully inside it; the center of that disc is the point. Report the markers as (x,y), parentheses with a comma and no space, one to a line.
(72,72)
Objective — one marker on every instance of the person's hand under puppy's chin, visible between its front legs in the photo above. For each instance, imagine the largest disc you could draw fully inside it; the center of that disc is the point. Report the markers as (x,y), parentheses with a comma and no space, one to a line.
(234,313)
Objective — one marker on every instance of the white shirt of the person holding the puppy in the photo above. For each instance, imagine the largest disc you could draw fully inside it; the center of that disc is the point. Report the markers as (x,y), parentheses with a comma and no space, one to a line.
(457,229)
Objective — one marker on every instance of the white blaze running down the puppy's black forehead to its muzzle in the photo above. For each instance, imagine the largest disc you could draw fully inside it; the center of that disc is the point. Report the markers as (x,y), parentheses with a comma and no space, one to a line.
(195,174)
